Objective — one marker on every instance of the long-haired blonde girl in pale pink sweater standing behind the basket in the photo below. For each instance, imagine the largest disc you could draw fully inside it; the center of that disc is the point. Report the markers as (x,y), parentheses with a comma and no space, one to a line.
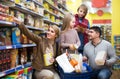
(69,38)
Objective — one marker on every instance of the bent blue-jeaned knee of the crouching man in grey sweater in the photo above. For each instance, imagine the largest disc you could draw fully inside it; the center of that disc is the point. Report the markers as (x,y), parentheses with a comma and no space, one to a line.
(103,74)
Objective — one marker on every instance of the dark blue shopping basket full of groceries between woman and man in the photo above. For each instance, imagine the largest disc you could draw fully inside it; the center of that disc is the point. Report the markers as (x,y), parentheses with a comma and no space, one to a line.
(84,75)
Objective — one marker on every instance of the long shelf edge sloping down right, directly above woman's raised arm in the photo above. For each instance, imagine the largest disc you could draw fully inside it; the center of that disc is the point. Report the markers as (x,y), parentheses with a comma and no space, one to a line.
(25,10)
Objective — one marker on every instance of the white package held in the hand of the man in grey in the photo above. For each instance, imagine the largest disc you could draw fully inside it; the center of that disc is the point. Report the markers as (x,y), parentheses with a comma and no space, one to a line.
(100,58)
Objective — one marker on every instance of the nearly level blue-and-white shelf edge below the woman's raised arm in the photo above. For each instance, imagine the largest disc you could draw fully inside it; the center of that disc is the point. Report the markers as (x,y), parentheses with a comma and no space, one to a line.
(17,46)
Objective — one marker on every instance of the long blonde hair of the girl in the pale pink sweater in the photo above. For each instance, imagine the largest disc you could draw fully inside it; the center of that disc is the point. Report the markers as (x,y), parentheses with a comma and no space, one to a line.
(66,21)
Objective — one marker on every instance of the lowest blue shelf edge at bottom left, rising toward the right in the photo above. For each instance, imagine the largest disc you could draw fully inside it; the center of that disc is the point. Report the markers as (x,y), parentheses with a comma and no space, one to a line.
(9,71)
